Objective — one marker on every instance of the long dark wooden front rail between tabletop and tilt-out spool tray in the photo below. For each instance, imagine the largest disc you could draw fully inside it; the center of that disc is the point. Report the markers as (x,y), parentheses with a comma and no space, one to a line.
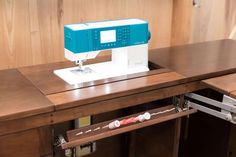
(122,102)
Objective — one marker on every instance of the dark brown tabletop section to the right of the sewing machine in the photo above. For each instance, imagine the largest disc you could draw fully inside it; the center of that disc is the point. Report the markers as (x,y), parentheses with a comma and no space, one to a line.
(198,61)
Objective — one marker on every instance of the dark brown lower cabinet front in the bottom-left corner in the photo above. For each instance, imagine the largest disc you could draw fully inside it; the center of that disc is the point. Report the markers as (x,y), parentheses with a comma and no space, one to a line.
(31,143)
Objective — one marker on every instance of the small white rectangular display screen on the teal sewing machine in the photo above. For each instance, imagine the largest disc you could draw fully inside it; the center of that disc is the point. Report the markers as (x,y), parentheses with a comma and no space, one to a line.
(108,36)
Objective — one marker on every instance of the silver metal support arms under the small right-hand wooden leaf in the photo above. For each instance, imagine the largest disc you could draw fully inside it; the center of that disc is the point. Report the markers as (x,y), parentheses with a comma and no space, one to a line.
(227,106)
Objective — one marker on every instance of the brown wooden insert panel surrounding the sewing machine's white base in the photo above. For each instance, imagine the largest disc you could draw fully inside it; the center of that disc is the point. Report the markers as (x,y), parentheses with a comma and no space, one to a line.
(43,77)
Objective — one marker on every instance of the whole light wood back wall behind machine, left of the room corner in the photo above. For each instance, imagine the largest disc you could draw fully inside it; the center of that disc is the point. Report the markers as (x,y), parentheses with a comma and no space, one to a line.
(31,31)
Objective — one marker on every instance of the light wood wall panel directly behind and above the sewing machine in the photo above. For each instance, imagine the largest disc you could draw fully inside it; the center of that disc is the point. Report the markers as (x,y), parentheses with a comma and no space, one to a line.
(157,12)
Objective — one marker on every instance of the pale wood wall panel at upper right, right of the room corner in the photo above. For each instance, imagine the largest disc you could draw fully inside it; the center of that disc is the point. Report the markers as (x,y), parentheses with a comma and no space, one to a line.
(208,21)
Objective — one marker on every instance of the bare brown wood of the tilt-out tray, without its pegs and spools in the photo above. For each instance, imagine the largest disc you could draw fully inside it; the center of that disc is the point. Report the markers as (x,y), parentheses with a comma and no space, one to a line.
(93,136)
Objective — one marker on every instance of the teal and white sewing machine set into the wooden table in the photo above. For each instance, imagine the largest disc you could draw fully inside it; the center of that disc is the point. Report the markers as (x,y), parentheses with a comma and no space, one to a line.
(128,40)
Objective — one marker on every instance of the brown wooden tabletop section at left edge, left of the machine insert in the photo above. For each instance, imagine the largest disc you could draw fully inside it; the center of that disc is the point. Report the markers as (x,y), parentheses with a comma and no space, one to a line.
(19,98)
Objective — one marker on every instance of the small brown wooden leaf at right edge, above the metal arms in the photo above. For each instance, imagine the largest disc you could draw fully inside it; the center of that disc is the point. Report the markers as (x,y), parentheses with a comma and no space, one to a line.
(224,84)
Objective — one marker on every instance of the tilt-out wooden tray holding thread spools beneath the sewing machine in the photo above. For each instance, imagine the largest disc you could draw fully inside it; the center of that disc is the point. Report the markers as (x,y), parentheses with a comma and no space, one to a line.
(98,131)
